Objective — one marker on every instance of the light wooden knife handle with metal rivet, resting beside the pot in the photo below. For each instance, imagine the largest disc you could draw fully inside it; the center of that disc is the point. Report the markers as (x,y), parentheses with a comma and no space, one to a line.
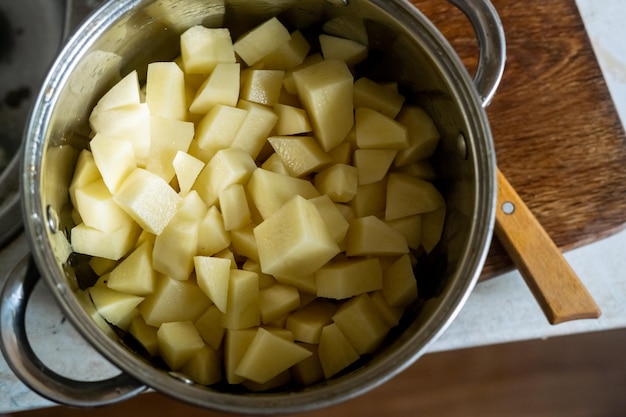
(553,282)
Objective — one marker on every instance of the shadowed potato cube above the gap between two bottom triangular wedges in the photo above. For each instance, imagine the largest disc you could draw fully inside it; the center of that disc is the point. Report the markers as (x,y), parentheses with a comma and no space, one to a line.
(307,322)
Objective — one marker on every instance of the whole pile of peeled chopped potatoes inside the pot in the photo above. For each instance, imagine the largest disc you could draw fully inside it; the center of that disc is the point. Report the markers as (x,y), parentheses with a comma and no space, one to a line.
(253,212)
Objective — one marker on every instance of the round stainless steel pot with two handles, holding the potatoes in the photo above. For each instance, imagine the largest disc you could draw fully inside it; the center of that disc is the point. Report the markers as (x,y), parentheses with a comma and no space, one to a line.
(124,35)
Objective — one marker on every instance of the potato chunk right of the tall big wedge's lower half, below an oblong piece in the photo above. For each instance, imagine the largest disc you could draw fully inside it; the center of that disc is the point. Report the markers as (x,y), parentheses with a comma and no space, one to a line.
(374,130)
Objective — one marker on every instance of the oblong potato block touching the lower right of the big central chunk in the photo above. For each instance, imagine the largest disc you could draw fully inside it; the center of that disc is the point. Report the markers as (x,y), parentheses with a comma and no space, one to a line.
(347,278)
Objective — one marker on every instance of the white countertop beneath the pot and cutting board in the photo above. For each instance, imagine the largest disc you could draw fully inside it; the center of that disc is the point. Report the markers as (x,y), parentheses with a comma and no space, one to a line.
(498,310)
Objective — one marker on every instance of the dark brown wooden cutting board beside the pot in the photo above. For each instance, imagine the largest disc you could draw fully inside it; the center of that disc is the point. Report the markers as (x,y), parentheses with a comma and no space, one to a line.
(557,134)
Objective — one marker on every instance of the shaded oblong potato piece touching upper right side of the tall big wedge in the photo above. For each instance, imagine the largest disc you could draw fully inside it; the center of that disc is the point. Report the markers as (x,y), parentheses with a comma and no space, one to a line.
(376,96)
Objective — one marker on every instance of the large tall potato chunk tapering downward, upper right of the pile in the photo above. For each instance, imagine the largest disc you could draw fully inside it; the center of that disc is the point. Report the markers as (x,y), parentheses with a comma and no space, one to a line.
(326,92)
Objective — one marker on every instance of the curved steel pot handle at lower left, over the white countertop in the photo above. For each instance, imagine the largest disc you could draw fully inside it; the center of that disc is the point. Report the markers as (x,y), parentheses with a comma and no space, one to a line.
(23,361)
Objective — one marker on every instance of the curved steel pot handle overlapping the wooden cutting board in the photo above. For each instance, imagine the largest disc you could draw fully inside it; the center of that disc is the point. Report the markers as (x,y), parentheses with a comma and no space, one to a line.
(491,42)
